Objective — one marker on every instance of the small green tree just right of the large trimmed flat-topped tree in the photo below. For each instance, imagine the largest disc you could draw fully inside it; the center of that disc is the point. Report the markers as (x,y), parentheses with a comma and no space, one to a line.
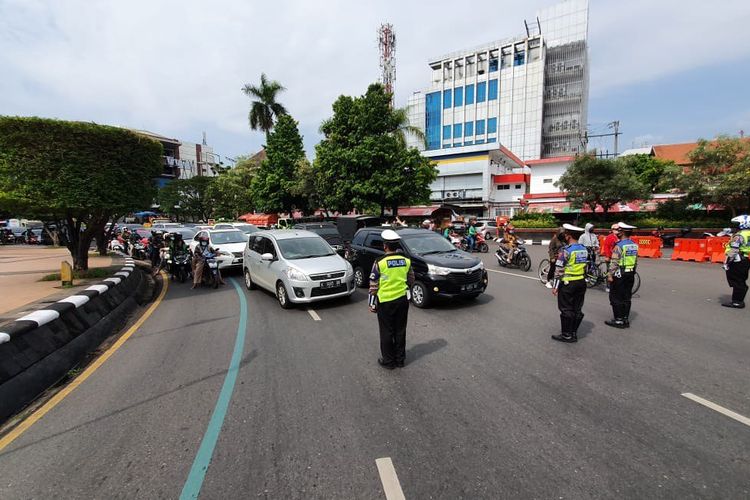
(189,198)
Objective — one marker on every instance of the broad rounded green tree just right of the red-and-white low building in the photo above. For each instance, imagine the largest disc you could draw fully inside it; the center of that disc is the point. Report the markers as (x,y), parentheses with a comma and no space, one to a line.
(593,182)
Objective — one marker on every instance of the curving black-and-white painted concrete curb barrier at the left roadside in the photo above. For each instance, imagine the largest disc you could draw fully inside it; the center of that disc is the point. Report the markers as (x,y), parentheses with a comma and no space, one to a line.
(39,349)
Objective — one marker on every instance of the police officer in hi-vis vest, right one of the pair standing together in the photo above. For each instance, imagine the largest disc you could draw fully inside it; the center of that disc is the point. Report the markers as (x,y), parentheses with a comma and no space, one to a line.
(620,276)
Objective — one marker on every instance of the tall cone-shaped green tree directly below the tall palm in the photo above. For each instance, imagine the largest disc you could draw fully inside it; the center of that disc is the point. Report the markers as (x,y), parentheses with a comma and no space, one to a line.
(274,187)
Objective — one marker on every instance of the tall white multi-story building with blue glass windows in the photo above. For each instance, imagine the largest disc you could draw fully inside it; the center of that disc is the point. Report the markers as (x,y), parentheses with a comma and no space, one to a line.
(513,107)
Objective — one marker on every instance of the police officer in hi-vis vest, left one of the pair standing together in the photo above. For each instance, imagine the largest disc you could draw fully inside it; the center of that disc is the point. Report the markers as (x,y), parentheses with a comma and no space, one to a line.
(569,284)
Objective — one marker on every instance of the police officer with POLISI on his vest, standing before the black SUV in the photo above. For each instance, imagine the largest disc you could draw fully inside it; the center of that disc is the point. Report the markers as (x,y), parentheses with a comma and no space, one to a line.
(390,282)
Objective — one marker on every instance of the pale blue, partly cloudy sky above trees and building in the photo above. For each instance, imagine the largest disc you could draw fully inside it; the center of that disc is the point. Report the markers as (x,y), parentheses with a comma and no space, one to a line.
(668,70)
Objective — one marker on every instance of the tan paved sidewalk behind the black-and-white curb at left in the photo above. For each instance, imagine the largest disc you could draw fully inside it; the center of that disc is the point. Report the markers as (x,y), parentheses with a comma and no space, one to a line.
(21,268)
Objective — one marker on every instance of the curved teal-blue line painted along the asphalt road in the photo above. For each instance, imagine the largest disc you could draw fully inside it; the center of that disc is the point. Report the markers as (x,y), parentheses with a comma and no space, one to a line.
(194,482)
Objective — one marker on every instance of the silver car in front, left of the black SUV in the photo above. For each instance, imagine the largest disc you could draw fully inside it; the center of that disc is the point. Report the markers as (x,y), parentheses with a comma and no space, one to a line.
(300,267)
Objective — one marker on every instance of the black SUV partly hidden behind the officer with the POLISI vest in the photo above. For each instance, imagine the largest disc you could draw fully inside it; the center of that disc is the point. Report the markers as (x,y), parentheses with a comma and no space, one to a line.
(440,269)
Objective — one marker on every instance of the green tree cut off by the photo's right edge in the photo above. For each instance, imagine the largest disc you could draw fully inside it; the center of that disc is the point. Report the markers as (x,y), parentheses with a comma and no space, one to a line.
(720,174)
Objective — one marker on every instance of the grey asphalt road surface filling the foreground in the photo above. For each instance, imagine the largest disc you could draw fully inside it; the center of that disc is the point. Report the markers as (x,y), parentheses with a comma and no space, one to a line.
(488,405)
